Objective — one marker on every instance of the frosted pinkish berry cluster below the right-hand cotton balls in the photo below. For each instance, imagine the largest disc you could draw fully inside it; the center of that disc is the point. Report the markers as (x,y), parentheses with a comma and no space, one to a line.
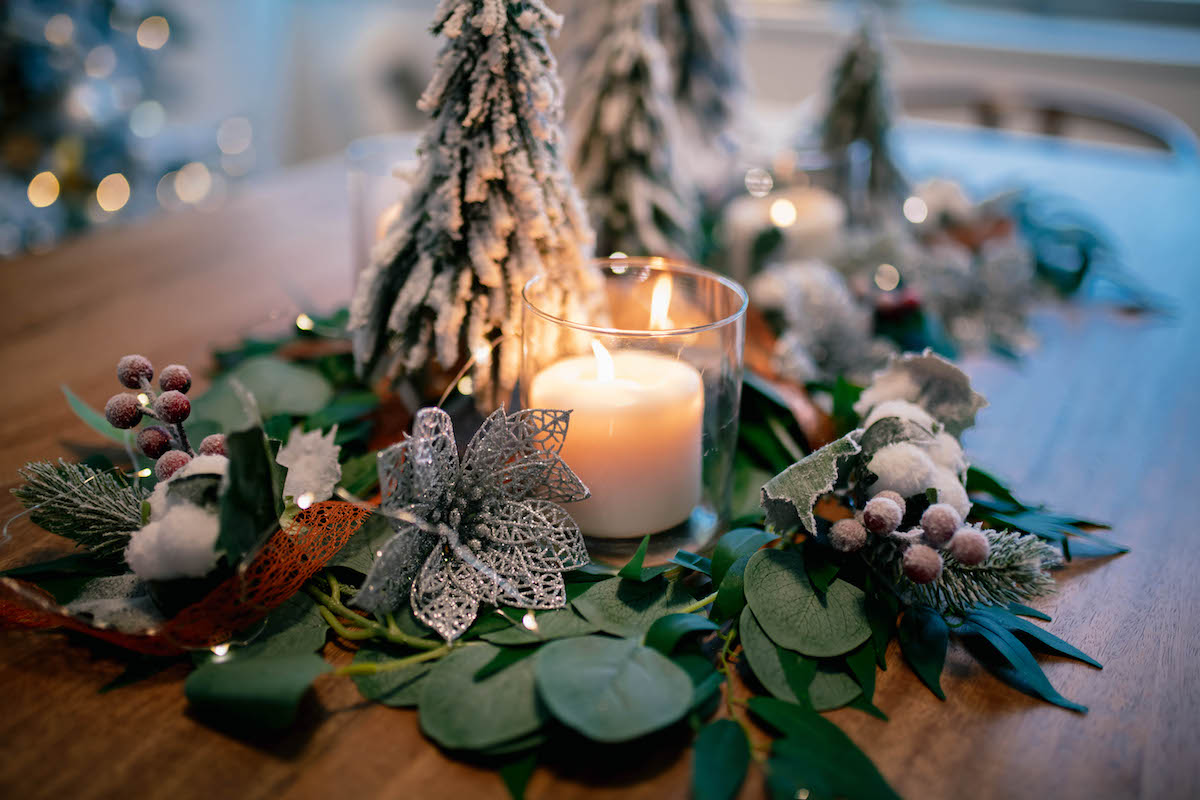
(941,528)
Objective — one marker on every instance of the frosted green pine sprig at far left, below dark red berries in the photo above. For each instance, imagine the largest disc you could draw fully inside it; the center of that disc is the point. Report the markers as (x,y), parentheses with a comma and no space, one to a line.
(93,508)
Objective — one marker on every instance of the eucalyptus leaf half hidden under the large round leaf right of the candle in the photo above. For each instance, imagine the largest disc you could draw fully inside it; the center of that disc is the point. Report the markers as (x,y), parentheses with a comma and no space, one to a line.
(829,689)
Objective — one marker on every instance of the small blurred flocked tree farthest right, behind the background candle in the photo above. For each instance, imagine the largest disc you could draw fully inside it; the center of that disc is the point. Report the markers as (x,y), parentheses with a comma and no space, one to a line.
(861,110)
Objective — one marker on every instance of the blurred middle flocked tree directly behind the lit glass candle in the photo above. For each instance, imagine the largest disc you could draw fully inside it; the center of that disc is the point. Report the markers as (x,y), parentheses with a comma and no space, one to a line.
(626,134)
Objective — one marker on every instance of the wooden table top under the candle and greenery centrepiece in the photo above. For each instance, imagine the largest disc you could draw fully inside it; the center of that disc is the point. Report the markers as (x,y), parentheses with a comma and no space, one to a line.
(1102,422)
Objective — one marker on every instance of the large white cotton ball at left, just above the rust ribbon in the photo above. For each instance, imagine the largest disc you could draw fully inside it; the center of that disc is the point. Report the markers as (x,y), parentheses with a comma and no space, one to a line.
(182,545)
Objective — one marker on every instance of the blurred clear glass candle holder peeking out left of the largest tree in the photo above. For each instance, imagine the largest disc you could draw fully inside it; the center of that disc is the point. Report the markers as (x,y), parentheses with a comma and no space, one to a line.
(380,171)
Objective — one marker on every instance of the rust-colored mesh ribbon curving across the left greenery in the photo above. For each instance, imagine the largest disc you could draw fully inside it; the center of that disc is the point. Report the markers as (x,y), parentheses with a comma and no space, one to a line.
(289,560)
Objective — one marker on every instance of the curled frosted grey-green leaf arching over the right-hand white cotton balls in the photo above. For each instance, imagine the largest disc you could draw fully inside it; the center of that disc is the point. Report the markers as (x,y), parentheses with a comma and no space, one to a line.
(931,382)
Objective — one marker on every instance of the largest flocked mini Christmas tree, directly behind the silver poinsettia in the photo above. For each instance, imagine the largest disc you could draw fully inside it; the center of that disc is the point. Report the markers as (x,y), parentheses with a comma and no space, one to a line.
(491,207)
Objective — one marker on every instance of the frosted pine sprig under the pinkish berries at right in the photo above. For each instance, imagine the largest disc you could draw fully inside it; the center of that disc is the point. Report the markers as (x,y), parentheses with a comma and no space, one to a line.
(1016,572)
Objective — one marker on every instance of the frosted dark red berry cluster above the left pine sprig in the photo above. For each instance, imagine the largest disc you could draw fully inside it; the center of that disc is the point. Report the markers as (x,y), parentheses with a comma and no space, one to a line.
(166,443)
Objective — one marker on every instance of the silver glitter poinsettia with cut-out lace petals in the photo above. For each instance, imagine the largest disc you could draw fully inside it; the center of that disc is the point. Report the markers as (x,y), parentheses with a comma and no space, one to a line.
(485,528)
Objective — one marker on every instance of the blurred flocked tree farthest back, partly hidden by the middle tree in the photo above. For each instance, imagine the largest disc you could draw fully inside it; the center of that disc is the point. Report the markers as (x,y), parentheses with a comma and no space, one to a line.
(704,44)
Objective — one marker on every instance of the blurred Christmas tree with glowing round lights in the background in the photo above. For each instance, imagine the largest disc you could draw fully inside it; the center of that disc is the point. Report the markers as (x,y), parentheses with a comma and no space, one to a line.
(83,137)
